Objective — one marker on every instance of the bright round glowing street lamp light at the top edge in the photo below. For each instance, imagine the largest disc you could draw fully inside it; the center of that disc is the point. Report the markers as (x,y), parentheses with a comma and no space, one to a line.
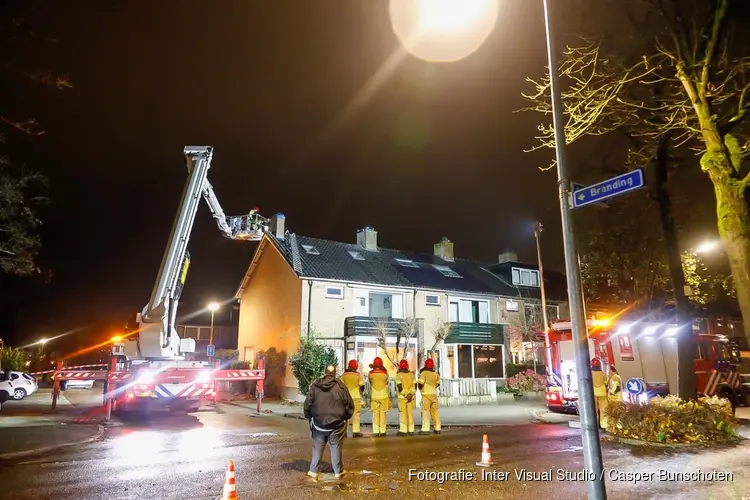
(443,30)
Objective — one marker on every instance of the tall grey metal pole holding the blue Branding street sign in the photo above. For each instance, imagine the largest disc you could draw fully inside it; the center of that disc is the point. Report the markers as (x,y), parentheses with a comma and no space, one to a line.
(592,453)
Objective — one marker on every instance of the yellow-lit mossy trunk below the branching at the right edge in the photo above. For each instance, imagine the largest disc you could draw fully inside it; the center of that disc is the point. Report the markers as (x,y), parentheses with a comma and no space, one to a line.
(734,228)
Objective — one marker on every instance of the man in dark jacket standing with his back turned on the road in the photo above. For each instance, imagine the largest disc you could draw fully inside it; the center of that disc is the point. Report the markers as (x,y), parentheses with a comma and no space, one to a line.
(328,407)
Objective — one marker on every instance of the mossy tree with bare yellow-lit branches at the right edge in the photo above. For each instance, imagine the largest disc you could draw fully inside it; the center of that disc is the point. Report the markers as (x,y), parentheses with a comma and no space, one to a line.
(681,82)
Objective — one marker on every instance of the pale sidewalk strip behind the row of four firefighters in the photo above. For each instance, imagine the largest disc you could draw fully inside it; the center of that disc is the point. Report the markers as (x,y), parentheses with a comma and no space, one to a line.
(516,413)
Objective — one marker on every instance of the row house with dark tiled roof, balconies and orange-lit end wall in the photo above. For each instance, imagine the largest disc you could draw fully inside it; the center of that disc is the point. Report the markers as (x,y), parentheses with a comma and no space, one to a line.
(361,299)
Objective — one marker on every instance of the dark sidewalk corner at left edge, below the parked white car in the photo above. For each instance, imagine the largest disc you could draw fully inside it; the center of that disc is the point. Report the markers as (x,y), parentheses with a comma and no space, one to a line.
(28,428)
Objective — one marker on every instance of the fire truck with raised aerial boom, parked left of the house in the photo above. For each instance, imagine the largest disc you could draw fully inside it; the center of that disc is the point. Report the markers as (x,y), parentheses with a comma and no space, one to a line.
(152,360)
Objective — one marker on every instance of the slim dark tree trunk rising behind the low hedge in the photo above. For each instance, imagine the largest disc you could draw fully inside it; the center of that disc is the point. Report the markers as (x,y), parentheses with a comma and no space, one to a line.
(686,388)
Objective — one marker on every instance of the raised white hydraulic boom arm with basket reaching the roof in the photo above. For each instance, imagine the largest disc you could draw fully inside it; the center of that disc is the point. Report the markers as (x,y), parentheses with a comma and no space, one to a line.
(157,336)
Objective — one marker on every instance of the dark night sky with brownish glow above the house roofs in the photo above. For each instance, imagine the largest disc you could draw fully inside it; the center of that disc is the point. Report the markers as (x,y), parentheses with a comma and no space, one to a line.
(434,151)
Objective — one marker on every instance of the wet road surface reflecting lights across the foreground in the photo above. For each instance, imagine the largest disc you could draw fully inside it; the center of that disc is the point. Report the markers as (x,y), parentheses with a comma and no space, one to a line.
(186,457)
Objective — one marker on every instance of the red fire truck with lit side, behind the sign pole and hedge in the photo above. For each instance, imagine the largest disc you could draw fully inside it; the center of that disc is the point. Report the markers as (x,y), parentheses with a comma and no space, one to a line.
(645,351)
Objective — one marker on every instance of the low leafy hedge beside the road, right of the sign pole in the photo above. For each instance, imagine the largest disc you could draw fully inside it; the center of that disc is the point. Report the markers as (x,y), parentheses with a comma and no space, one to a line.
(673,420)
